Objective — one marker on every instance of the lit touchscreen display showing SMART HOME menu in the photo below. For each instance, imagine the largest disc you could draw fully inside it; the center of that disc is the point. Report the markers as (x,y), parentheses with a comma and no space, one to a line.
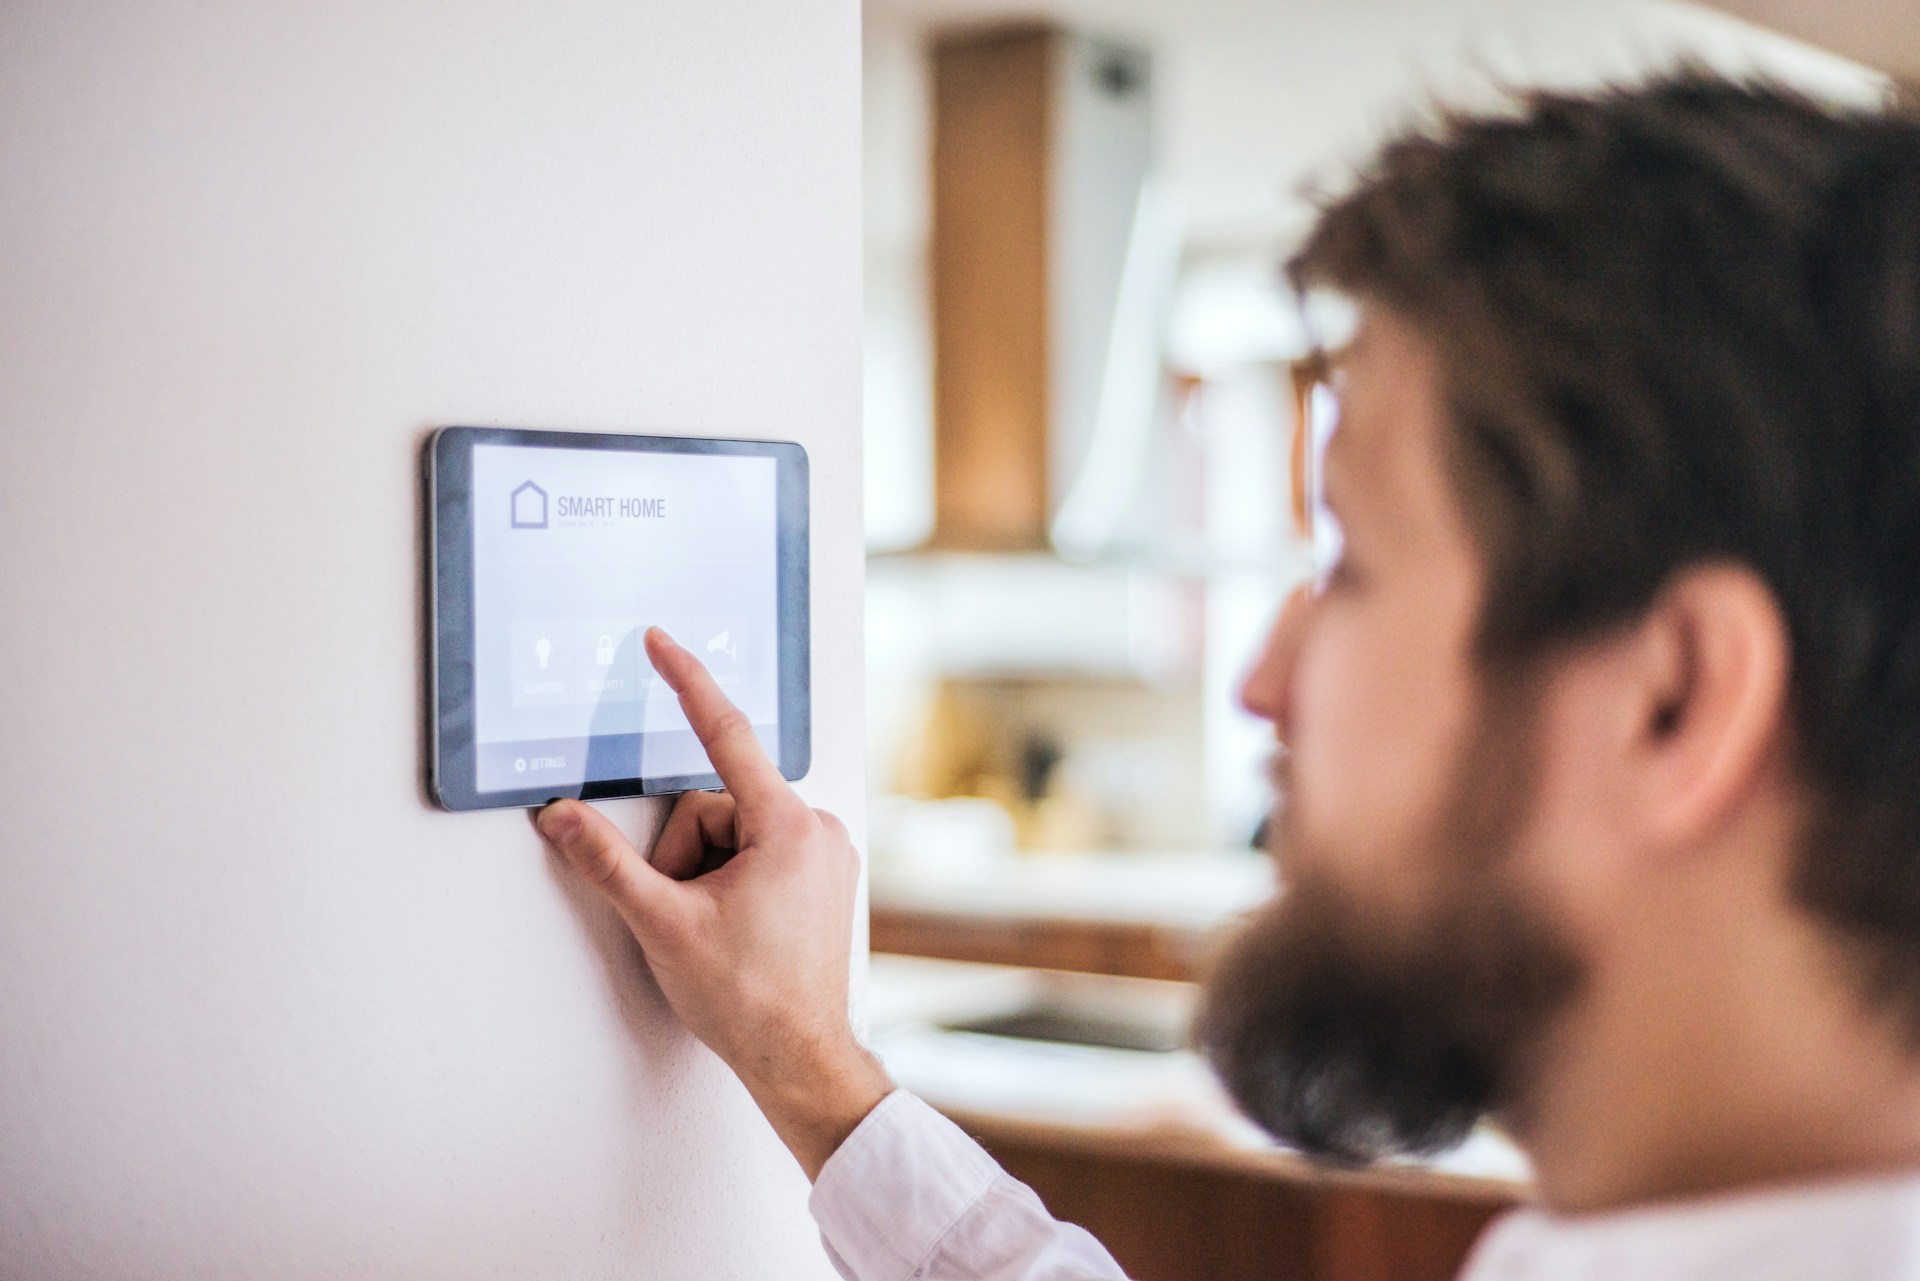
(575,556)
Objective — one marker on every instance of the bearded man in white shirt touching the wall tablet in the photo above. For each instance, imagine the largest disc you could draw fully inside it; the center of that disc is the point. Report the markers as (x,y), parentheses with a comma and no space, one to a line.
(1602,738)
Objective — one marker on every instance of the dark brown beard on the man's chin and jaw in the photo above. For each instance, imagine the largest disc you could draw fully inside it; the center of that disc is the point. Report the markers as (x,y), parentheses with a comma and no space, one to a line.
(1351,1038)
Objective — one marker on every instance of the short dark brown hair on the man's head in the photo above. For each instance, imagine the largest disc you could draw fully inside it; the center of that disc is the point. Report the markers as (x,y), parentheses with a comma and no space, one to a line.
(1681,324)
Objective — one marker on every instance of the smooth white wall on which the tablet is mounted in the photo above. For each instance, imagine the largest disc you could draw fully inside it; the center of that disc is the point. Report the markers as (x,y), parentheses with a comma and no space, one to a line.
(262,1009)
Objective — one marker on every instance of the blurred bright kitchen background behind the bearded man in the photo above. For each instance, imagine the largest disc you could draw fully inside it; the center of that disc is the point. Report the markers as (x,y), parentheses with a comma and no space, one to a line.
(1086,393)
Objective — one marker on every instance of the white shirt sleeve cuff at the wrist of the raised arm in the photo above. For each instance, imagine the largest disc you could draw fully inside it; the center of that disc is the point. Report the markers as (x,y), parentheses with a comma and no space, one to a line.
(909,1196)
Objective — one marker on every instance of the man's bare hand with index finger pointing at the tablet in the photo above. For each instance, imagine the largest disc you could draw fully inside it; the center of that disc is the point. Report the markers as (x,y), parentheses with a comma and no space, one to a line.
(746,917)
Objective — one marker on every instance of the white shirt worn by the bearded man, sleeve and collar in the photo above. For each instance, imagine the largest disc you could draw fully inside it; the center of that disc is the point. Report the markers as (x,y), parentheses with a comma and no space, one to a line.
(913,1197)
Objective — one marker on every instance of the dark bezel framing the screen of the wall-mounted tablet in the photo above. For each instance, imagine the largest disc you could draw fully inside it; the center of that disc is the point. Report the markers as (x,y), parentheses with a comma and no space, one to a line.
(450,571)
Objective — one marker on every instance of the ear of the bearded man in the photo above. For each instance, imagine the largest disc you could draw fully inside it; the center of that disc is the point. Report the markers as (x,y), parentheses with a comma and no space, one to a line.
(1712,700)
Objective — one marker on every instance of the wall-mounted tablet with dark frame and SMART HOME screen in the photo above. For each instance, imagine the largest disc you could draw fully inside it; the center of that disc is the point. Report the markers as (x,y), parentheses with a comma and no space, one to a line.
(550,558)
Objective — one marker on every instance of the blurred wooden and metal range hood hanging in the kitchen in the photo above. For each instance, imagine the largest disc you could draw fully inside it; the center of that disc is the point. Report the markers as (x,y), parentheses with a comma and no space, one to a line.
(1042,149)
